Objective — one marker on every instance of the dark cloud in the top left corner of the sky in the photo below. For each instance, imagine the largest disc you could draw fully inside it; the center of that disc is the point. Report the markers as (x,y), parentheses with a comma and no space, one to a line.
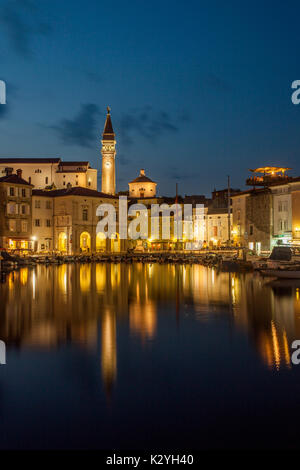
(19,19)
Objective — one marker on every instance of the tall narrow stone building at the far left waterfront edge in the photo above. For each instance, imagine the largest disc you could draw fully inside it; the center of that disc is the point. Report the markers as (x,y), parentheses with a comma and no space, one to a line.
(15,212)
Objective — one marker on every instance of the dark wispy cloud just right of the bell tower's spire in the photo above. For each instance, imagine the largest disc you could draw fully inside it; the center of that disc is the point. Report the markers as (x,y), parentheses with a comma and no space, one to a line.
(147,123)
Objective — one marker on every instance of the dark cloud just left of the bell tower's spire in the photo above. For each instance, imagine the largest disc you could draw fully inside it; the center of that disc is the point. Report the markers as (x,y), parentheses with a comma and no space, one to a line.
(82,129)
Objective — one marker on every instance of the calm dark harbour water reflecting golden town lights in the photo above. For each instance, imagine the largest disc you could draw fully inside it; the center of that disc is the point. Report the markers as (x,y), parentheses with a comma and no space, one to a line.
(114,356)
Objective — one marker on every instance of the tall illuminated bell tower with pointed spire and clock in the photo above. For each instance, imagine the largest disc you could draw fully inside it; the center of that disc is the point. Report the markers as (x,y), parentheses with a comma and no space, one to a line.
(108,151)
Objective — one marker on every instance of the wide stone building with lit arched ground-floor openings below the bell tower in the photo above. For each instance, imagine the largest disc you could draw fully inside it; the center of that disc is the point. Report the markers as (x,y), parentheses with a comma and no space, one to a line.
(74,221)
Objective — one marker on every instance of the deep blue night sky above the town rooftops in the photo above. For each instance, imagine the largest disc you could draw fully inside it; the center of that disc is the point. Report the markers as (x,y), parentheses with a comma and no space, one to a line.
(197,90)
